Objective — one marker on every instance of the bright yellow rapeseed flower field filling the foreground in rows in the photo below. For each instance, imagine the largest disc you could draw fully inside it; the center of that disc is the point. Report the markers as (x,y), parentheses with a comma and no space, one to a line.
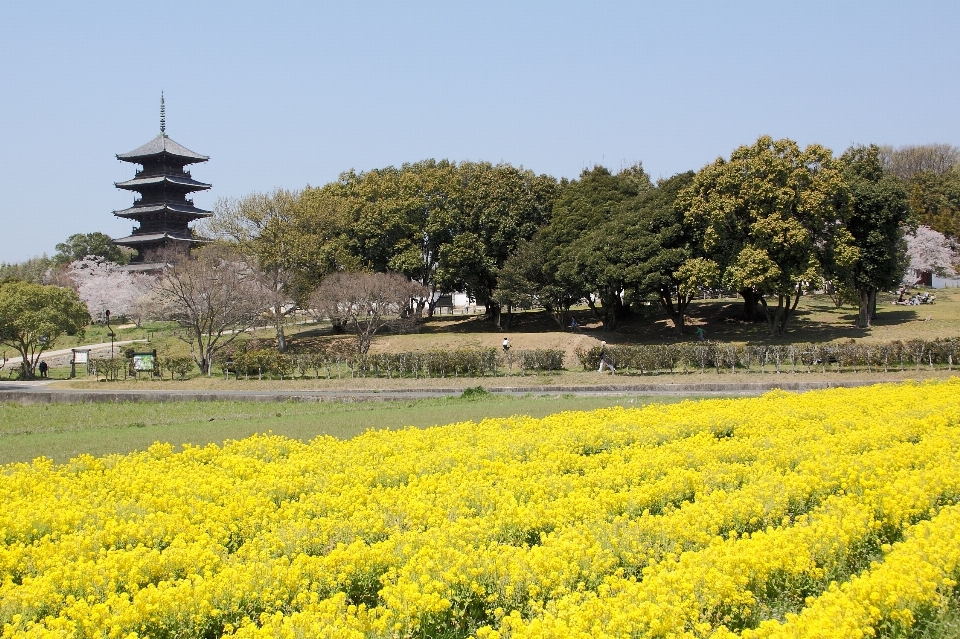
(824,514)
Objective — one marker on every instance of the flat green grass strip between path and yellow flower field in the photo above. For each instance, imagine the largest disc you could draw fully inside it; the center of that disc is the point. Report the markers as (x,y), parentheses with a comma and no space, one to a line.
(62,431)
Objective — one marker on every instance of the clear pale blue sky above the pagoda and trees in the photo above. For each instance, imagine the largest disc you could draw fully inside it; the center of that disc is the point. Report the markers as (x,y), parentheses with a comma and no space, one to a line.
(288,94)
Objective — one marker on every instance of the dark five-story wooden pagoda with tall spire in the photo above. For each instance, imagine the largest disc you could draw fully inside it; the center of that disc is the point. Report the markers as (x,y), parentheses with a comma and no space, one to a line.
(163,210)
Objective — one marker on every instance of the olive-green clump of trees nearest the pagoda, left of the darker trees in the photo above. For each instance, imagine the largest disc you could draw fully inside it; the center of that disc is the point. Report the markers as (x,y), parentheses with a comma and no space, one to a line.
(444,225)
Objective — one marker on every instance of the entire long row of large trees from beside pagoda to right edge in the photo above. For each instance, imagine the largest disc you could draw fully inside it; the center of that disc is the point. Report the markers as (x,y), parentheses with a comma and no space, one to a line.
(770,222)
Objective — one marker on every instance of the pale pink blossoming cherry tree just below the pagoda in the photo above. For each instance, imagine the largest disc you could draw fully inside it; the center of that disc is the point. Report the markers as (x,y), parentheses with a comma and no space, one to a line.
(104,285)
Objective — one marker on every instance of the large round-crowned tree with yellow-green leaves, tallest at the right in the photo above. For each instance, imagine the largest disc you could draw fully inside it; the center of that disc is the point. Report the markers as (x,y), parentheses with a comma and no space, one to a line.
(768,216)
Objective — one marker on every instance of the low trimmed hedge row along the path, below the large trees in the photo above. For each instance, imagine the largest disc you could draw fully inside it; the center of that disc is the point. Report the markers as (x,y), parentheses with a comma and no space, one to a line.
(638,359)
